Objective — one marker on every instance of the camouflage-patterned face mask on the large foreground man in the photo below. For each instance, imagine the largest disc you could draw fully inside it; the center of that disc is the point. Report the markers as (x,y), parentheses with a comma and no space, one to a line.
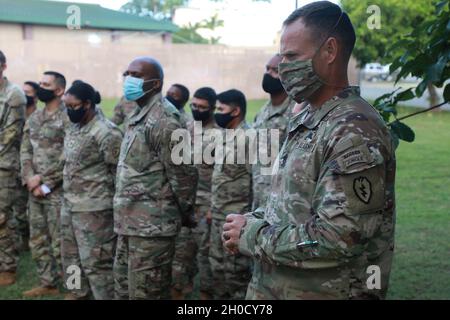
(299,79)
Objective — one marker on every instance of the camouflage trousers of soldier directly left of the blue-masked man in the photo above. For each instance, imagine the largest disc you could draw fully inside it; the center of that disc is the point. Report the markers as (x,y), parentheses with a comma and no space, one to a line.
(89,242)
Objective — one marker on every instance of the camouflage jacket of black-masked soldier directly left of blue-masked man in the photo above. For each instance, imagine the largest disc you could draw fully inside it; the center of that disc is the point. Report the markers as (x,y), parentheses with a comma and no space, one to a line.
(91,154)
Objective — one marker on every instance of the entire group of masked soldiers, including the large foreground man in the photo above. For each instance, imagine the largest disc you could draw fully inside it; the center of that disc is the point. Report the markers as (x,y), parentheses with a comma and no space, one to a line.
(324,229)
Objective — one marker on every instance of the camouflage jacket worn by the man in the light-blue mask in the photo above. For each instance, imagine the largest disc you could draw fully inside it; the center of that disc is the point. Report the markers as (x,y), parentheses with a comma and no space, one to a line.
(152,192)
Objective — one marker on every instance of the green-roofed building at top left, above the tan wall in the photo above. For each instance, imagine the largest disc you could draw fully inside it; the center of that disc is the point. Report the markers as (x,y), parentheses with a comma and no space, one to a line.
(36,20)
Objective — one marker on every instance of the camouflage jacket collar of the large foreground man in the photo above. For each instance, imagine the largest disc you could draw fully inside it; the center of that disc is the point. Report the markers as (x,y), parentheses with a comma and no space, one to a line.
(310,118)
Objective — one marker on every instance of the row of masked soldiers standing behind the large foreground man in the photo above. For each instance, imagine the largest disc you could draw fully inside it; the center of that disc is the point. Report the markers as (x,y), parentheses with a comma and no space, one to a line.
(70,154)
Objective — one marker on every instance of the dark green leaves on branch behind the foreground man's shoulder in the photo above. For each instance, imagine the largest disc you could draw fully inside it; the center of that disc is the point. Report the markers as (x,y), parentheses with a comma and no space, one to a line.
(424,53)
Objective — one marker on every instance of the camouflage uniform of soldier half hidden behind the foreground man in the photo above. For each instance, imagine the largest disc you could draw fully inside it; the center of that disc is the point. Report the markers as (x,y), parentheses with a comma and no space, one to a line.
(269,117)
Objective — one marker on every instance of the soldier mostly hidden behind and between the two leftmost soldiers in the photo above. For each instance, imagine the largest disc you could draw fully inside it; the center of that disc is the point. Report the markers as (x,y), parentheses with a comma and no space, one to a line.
(22,225)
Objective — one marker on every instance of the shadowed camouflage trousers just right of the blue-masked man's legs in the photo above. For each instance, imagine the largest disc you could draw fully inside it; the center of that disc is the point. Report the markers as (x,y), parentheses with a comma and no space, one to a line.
(191,255)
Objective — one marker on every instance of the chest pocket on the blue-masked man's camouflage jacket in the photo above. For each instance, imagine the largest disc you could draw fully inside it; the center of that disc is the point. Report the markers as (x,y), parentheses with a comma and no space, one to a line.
(138,153)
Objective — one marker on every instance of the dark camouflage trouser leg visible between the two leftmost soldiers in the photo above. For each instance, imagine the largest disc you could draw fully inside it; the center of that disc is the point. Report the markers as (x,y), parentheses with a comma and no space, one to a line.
(22,225)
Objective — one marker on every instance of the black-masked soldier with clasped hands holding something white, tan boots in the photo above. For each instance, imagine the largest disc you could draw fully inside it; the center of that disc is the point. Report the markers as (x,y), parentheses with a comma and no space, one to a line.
(41,157)
